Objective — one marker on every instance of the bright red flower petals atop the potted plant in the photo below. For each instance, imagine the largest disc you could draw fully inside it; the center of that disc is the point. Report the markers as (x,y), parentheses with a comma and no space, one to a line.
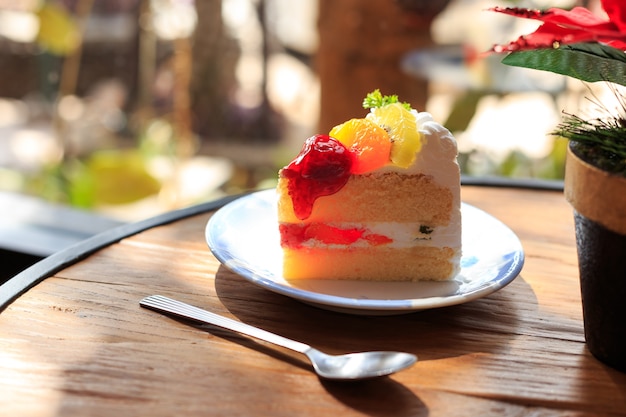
(567,27)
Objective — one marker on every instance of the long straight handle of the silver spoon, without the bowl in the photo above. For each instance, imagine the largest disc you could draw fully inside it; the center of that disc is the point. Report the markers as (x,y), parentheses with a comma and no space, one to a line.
(167,305)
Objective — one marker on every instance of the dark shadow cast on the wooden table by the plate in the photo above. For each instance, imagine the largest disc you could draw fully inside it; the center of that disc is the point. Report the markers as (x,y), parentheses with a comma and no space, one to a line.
(431,334)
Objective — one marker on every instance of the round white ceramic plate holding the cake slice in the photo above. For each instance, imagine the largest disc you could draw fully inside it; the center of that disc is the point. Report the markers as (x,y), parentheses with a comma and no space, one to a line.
(243,235)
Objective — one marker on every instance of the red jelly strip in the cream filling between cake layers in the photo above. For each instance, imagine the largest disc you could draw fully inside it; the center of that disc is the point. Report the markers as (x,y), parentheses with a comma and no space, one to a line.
(294,235)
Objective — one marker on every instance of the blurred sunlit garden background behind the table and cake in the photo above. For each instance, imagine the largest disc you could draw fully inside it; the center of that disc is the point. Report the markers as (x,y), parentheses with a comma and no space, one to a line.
(129,108)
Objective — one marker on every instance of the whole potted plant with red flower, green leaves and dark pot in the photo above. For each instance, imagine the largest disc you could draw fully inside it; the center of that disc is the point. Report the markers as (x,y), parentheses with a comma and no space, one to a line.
(590,48)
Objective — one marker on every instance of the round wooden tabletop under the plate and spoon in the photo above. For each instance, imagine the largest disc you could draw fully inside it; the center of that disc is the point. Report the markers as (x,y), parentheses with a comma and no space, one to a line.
(78,344)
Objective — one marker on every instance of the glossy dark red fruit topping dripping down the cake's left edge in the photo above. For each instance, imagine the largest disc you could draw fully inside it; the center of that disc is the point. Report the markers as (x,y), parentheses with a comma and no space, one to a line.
(322,167)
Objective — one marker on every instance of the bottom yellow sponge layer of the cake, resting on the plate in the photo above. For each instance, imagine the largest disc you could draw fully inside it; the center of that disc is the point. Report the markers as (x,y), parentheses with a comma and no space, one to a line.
(371,264)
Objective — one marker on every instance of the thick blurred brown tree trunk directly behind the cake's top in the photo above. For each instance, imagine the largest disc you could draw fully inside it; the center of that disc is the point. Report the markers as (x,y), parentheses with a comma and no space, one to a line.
(361,46)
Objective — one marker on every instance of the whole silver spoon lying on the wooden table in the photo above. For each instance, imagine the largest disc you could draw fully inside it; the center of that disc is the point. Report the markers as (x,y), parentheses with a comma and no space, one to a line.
(351,366)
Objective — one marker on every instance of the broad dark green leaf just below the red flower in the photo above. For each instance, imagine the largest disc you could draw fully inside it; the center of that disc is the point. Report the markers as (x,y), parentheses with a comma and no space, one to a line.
(590,62)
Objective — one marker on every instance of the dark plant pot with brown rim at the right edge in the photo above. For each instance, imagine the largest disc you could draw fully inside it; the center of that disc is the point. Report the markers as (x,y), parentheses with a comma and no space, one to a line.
(599,202)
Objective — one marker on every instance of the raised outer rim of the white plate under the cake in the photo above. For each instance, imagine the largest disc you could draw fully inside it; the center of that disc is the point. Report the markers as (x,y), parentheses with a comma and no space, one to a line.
(359,305)
